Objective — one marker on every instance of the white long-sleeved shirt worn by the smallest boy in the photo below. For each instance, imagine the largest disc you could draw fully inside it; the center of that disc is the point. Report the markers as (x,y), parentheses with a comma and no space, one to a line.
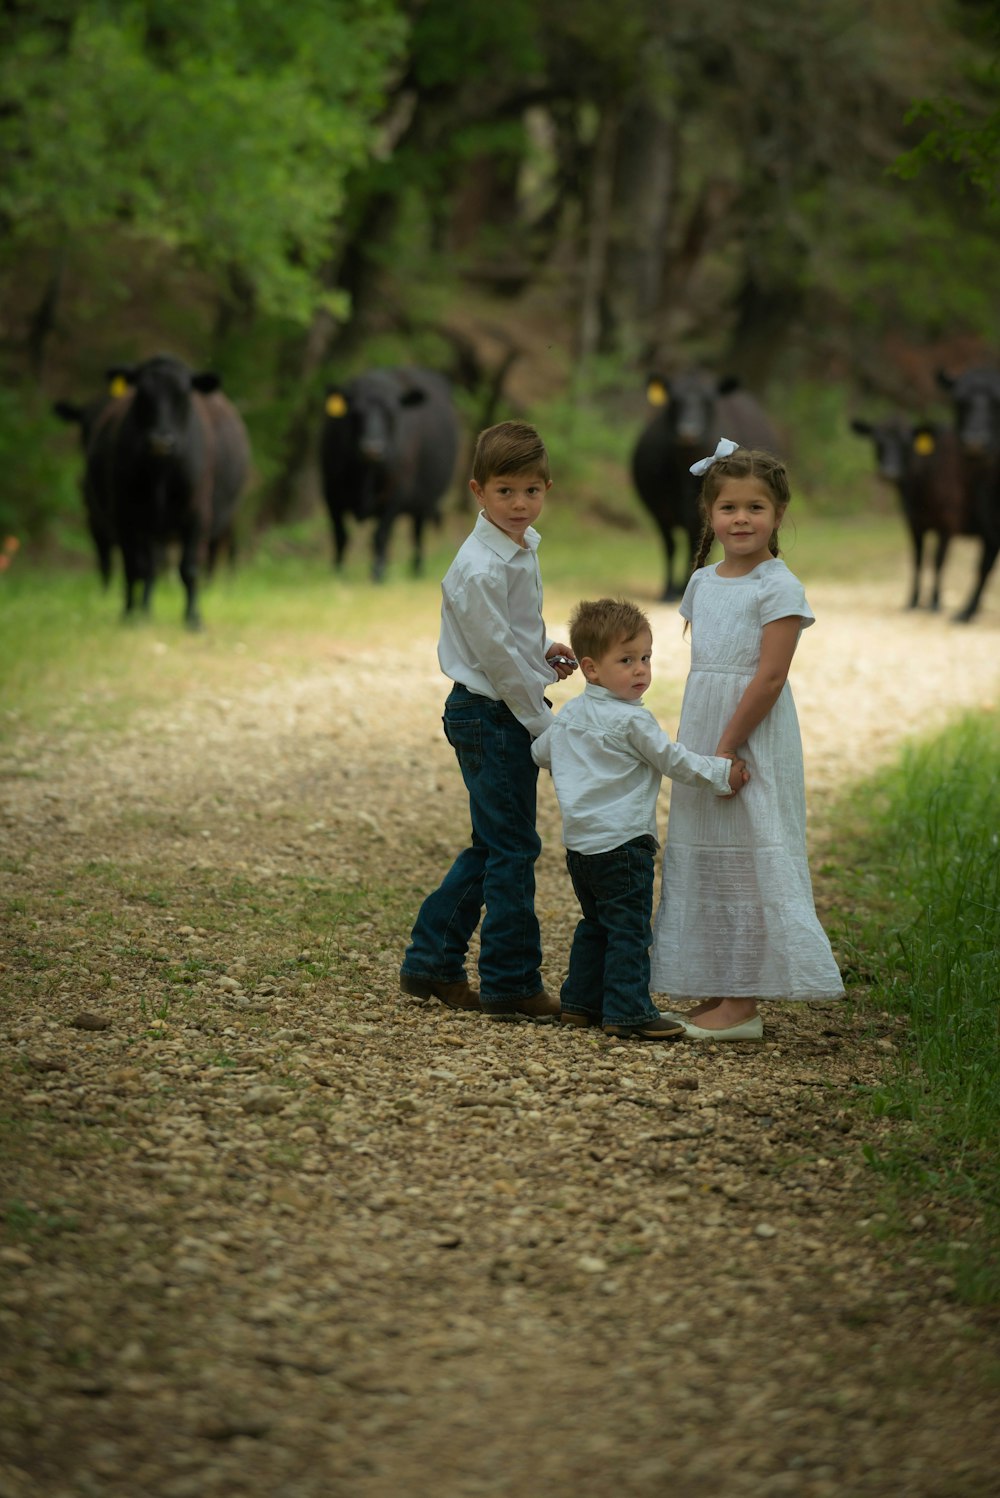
(609,759)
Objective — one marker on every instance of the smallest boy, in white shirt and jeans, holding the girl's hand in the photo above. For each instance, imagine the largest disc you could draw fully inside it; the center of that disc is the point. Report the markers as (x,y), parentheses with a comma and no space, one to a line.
(609,756)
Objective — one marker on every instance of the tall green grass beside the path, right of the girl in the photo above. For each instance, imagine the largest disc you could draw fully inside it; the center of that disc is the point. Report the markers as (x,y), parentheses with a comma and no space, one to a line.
(920,868)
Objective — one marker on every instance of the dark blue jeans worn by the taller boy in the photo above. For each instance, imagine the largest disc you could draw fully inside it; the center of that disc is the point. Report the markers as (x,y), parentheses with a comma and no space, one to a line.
(495,754)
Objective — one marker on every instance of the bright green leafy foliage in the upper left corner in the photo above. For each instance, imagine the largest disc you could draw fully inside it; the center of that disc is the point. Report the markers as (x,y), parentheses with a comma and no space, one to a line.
(222,131)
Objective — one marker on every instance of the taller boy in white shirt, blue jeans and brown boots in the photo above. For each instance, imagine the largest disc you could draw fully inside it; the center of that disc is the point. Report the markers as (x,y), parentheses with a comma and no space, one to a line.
(495,648)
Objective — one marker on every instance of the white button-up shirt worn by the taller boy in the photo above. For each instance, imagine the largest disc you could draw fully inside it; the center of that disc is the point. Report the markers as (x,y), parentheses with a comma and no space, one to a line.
(493,637)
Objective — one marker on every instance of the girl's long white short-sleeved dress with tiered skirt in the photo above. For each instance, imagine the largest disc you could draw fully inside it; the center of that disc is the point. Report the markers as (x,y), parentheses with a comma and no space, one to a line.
(737,916)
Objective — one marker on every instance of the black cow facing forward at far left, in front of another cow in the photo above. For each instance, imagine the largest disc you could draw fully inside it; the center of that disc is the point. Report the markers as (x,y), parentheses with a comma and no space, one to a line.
(170,461)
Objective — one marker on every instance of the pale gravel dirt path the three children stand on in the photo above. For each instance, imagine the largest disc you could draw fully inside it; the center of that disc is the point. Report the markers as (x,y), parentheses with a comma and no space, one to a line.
(272,1231)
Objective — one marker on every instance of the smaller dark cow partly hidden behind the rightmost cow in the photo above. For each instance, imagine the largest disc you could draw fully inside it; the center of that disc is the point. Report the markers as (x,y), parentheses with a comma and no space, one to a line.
(923,462)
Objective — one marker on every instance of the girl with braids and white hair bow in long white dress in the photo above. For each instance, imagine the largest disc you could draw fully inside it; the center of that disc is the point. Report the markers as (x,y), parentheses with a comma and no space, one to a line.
(737,921)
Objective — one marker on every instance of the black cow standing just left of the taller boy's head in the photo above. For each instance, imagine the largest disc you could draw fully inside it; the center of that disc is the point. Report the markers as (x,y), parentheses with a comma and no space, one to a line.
(388,449)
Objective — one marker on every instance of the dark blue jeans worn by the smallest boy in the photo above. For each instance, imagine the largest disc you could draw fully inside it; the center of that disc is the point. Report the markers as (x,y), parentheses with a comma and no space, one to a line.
(610,961)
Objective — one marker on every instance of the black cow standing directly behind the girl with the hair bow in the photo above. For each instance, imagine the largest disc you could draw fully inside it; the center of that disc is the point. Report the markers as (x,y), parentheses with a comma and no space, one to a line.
(692,413)
